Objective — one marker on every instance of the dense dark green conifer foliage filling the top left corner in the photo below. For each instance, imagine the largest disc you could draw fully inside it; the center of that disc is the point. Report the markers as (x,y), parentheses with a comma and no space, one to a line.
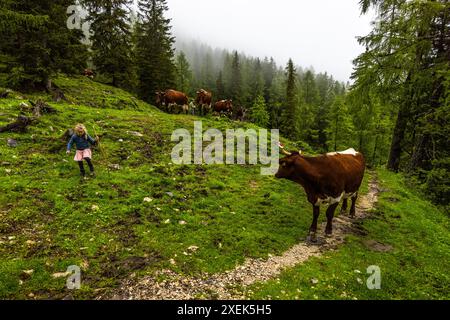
(36,43)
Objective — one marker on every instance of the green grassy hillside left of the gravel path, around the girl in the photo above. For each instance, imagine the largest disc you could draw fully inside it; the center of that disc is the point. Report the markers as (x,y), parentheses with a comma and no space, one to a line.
(49,220)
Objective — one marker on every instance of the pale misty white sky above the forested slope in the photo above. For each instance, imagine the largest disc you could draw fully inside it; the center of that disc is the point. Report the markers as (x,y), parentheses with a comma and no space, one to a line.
(318,33)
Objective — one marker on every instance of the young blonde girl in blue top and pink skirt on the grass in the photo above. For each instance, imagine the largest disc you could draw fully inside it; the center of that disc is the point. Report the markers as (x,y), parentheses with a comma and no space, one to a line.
(82,141)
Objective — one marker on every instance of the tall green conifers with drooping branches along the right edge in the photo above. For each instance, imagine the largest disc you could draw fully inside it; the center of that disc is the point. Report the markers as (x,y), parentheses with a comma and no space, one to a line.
(406,68)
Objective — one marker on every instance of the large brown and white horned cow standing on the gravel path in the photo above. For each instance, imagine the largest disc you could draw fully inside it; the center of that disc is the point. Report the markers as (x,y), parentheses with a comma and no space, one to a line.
(327,179)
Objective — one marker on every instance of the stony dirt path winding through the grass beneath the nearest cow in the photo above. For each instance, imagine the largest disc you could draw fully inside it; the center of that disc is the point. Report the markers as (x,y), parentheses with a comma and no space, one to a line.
(228,285)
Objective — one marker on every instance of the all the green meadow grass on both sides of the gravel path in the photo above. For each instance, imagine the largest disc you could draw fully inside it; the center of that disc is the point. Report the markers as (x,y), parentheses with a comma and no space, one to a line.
(50,220)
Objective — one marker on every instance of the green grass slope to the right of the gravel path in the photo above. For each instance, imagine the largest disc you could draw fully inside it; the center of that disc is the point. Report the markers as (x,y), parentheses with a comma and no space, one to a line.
(415,268)
